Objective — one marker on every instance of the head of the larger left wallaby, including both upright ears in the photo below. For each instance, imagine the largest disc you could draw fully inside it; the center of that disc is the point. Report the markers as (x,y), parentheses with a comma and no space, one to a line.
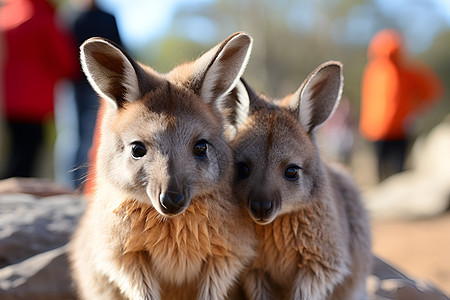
(162,137)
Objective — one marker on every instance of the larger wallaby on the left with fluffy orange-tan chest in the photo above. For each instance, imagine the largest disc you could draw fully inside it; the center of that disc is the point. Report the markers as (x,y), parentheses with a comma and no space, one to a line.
(162,222)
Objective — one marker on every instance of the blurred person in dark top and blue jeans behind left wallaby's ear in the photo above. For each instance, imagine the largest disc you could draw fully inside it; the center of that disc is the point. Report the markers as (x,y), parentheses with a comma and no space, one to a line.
(92,21)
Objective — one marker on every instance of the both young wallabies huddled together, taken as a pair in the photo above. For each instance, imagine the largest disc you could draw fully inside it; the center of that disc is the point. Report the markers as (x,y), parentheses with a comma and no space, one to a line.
(163,224)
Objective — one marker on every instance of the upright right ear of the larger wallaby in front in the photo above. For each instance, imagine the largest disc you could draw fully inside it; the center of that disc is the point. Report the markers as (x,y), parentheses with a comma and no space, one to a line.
(218,70)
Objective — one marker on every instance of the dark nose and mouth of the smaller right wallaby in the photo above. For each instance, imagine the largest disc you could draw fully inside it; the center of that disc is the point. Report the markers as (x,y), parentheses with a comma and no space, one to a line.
(263,208)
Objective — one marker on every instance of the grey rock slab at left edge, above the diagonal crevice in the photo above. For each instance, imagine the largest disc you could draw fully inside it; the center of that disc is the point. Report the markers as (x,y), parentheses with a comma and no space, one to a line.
(31,225)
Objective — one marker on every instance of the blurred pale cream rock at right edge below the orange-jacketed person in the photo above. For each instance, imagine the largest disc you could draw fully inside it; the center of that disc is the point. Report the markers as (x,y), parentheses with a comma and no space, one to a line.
(422,192)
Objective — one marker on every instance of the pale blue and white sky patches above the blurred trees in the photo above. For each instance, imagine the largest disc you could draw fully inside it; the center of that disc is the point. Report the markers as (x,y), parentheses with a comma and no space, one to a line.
(140,21)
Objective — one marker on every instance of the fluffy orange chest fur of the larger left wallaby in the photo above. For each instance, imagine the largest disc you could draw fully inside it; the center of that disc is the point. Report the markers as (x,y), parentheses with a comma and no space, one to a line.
(177,247)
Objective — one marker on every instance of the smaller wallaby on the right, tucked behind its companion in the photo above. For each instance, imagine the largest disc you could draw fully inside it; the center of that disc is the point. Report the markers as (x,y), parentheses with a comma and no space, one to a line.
(313,229)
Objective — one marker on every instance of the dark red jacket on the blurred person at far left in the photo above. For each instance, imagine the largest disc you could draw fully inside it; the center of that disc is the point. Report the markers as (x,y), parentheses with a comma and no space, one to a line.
(38,54)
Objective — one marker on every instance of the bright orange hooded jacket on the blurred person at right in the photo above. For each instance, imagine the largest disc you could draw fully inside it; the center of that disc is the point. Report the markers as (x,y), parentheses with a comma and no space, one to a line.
(392,90)
